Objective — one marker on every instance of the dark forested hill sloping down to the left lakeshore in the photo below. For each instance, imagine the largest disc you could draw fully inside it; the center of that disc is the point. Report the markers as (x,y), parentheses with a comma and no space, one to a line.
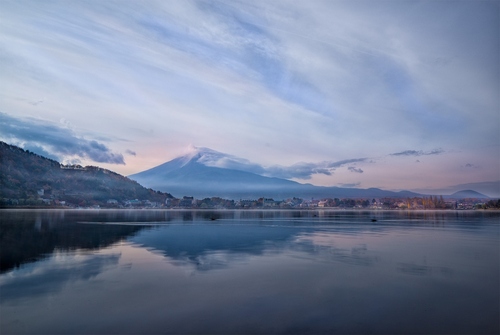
(28,177)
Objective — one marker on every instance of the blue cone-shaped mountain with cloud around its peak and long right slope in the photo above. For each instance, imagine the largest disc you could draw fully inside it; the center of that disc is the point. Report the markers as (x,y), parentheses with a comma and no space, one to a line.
(205,173)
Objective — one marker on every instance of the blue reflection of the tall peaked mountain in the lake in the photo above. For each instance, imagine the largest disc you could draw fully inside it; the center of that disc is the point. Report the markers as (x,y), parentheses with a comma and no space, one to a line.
(211,246)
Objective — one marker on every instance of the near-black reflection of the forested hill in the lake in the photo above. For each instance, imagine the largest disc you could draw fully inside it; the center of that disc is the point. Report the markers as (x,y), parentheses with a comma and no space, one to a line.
(28,236)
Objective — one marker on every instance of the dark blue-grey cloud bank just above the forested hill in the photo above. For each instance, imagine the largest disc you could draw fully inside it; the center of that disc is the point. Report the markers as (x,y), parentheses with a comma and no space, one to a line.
(53,141)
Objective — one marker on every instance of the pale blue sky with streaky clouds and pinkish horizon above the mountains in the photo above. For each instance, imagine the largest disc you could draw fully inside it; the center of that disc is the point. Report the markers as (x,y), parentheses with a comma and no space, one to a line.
(388,94)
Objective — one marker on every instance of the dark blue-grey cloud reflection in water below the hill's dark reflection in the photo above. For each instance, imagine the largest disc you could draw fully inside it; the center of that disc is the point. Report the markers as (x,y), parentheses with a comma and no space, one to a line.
(52,274)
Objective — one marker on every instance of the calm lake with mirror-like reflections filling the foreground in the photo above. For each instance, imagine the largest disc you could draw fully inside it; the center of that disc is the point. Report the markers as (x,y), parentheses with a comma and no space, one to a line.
(249,272)
